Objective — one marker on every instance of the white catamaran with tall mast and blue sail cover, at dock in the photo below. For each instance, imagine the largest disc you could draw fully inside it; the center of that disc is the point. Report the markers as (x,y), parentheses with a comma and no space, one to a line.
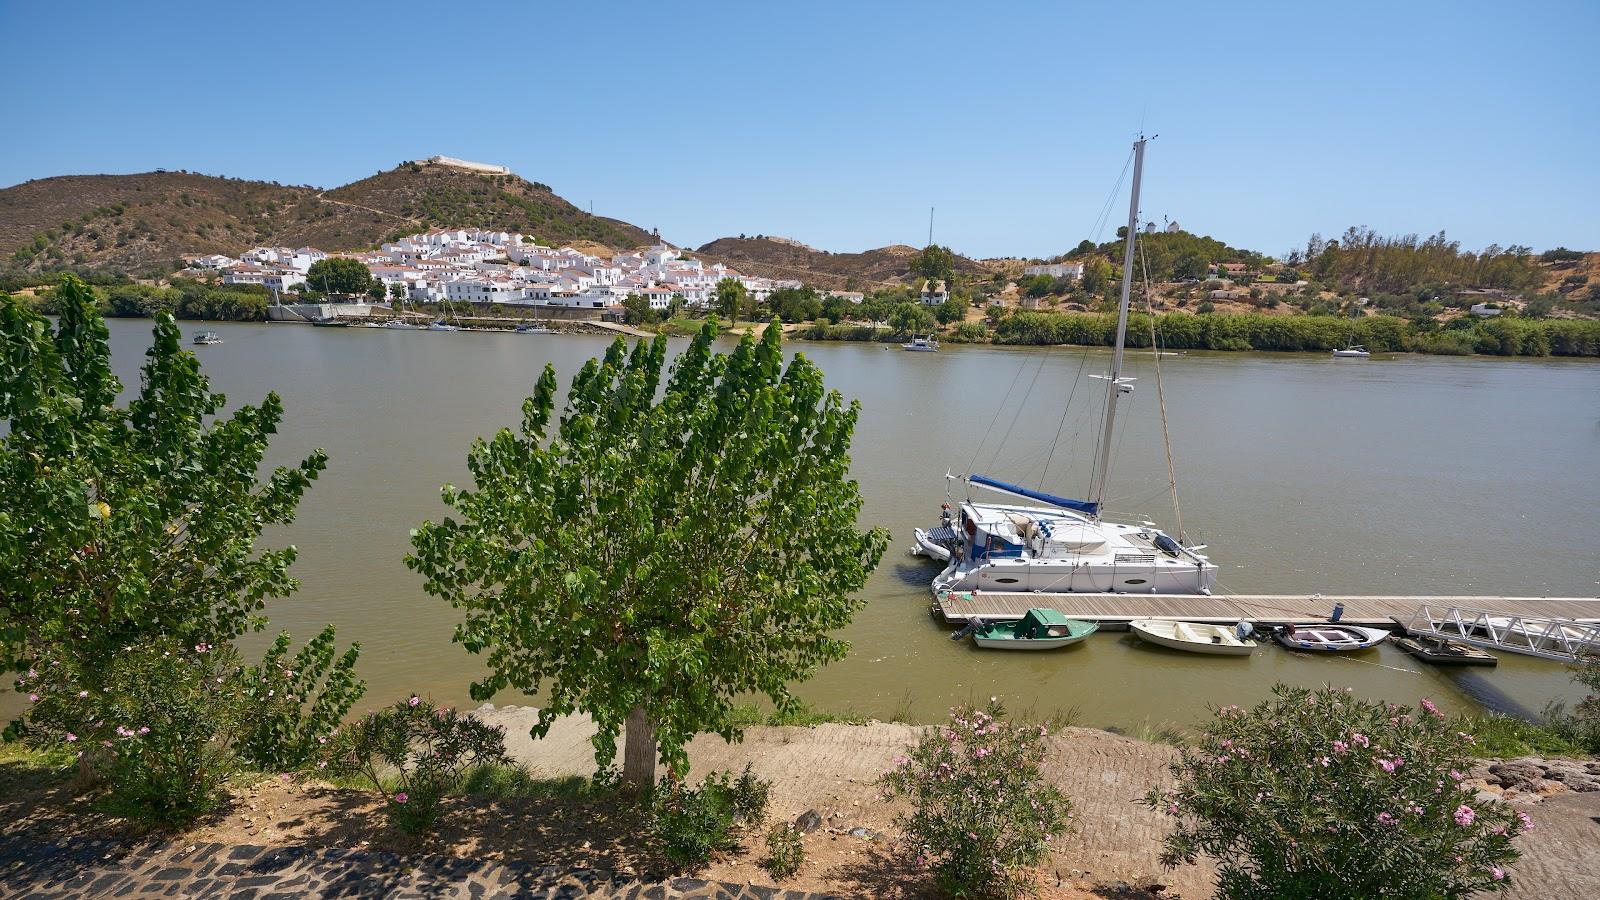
(1057,545)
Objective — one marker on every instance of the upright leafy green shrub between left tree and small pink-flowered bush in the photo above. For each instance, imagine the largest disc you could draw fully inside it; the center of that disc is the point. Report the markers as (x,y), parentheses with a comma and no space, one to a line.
(294,707)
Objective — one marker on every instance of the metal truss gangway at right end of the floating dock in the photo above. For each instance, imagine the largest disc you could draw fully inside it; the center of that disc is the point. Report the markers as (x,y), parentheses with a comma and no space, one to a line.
(1562,640)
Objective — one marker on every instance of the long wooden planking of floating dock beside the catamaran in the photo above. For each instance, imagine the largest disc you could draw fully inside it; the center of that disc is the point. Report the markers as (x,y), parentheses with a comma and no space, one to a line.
(1116,611)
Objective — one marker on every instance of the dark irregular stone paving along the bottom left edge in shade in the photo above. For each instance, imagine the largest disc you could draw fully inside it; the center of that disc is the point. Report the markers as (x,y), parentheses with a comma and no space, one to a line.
(108,869)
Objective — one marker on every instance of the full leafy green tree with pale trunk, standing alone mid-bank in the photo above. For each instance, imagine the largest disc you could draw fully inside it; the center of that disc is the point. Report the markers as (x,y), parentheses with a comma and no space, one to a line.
(655,560)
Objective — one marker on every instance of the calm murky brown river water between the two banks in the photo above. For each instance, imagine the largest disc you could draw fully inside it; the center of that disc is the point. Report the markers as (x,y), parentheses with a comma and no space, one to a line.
(1402,475)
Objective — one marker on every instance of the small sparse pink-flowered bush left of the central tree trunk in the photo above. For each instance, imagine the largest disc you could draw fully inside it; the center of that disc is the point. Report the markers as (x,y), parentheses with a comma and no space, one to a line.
(415,753)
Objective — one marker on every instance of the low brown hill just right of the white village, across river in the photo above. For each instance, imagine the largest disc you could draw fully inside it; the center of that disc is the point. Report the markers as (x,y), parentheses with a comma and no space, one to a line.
(785,259)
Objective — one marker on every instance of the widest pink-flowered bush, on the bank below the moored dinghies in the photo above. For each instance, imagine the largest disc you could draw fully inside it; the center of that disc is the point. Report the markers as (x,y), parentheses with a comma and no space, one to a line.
(1326,795)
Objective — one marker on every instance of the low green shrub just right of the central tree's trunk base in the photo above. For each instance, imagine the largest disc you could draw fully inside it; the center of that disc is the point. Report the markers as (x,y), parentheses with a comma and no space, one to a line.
(692,824)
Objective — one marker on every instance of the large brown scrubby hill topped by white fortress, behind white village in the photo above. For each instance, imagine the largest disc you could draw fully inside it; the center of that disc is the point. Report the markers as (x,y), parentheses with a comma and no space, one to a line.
(145,223)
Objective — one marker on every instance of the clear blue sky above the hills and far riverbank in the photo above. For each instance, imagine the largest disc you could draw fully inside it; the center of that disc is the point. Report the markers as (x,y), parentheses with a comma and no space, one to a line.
(841,124)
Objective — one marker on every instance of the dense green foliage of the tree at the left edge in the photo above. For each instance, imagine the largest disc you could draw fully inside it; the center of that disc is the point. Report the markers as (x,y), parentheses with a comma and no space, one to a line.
(124,523)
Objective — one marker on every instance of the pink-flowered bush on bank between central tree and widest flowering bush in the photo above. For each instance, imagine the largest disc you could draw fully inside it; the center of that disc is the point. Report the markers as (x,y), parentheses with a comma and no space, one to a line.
(983,811)
